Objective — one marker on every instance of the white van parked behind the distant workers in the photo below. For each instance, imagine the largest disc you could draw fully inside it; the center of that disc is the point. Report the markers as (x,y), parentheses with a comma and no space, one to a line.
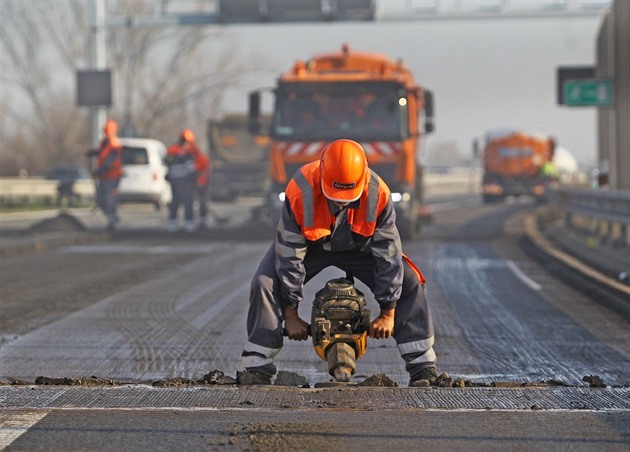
(144,171)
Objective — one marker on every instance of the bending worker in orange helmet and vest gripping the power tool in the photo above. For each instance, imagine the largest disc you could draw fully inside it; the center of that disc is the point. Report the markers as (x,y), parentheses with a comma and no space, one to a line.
(338,212)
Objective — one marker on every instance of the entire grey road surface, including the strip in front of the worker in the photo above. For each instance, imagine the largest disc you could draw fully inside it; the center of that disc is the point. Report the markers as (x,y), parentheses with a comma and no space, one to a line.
(151,307)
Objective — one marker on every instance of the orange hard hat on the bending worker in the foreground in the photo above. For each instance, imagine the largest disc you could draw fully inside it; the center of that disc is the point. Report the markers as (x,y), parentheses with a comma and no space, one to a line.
(344,171)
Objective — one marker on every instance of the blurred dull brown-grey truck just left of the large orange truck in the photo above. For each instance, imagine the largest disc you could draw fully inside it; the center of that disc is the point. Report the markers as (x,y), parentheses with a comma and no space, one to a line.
(239,159)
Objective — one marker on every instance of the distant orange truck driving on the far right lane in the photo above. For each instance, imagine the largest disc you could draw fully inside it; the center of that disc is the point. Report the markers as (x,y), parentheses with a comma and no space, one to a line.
(513,164)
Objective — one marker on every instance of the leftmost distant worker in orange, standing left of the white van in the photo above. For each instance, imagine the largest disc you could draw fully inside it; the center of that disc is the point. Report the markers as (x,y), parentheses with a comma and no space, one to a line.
(108,173)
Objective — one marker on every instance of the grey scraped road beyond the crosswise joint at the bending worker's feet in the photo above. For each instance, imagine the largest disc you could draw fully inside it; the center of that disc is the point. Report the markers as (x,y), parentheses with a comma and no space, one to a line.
(142,310)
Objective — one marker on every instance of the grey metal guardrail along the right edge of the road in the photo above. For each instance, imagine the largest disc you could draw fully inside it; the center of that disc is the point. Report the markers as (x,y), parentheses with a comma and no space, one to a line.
(603,213)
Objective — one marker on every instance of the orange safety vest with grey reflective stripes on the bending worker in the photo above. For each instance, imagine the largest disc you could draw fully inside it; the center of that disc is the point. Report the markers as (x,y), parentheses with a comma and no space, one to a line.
(310,206)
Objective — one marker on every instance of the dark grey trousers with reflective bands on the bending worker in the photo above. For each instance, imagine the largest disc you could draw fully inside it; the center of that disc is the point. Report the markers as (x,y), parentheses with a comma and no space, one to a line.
(413,324)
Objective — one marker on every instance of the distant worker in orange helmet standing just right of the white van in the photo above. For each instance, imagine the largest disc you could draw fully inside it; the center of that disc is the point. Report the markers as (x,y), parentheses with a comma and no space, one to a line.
(180,159)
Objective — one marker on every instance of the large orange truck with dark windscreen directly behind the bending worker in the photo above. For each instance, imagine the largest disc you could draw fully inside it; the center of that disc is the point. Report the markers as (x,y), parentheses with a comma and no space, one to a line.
(365,97)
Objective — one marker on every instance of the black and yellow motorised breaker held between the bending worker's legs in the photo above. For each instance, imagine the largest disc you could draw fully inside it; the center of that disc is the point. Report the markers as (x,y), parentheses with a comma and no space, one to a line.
(340,323)
